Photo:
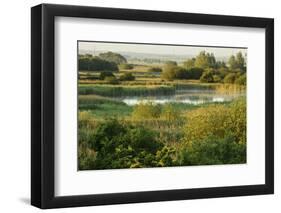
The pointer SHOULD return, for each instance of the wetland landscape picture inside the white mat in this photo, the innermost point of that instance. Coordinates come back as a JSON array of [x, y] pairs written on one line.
[[160, 105]]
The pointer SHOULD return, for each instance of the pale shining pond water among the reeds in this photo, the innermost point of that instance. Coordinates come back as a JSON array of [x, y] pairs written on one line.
[[188, 97]]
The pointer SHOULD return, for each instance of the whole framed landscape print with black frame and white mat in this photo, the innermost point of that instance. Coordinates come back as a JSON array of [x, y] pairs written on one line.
[[141, 106]]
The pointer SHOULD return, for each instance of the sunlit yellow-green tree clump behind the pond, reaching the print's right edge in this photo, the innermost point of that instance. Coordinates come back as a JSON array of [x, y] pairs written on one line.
[[206, 68]]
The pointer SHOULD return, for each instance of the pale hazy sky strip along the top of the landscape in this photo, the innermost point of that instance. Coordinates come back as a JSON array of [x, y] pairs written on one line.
[[157, 49]]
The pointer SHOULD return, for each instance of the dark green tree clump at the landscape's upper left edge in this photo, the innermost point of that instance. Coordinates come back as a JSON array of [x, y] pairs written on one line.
[[90, 63]]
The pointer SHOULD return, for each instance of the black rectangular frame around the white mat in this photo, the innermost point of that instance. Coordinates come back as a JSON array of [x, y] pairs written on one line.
[[43, 110]]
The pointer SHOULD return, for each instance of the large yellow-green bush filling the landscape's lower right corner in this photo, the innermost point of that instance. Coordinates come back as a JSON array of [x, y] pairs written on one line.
[[215, 135]]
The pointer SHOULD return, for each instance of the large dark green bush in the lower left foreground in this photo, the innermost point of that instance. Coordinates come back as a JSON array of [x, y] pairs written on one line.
[[117, 145]]
